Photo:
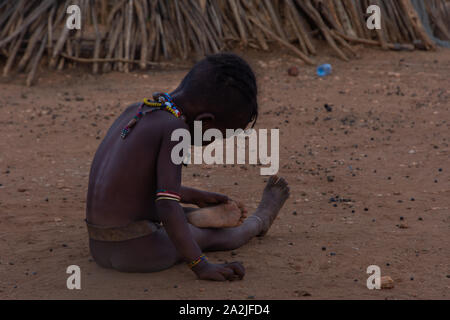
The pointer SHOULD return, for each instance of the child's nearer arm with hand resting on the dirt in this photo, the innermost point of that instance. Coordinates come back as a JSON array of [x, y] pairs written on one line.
[[174, 220]]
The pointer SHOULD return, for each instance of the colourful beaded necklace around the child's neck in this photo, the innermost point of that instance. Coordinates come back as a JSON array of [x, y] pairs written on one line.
[[164, 102]]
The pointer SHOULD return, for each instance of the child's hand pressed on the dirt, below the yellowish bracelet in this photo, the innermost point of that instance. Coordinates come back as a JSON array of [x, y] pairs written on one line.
[[219, 272]]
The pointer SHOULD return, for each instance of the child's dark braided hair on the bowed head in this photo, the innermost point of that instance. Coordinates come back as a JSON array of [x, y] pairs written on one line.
[[224, 81]]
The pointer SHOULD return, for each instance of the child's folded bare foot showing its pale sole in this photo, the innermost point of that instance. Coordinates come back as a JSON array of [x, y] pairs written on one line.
[[227, 215]]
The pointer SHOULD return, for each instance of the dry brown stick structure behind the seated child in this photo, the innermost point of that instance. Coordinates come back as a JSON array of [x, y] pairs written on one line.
[[124, 34]]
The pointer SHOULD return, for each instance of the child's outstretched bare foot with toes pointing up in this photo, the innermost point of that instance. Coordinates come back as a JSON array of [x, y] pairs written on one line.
[[274, 196]]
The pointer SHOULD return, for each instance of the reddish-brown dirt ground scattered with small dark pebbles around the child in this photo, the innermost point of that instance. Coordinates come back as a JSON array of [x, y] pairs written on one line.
[[369, 182]]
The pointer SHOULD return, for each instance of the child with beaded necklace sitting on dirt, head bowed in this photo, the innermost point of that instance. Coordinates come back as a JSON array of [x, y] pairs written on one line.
[[134, 217]]
